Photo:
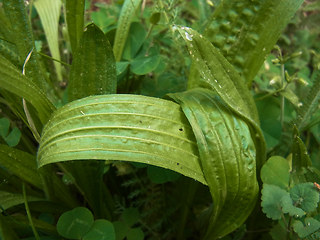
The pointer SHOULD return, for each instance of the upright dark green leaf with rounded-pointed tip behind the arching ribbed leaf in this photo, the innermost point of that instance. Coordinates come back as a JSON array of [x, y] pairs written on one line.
[[93, 70]]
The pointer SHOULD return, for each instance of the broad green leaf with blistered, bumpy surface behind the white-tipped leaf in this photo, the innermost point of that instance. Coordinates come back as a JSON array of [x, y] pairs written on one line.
[[246, 31]]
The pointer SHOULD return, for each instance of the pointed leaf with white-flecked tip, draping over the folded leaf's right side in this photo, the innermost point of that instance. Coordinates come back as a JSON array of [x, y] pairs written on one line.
[[220, 76]]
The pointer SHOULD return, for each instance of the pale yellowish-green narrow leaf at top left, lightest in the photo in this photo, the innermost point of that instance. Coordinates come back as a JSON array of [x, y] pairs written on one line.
[[49, 12]]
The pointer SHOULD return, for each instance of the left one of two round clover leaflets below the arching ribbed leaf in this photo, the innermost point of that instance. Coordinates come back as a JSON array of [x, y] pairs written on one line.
[[76, 223]]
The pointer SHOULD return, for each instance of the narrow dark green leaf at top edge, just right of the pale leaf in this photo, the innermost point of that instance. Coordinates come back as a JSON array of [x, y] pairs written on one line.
[[75, 21]]
